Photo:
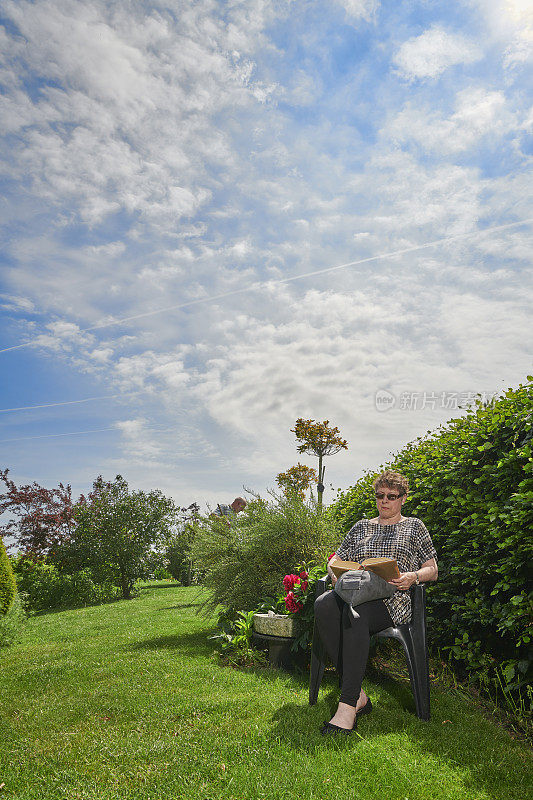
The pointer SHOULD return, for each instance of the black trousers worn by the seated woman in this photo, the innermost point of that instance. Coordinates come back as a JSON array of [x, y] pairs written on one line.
[[345, 633]]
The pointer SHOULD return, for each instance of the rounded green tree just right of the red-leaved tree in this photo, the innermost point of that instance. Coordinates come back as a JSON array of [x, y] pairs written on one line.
[[117, 530]]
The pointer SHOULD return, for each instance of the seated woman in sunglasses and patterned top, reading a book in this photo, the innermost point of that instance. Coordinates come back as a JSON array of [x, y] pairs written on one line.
[[346, 632]]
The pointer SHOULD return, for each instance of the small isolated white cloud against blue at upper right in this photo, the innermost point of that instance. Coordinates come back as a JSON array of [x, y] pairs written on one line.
[[434, 51]]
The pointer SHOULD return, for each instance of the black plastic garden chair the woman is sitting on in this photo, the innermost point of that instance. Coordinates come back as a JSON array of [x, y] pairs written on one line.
[[412, 635]]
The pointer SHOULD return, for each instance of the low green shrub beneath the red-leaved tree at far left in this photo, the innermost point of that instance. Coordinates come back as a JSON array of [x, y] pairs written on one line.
[[46, 587]]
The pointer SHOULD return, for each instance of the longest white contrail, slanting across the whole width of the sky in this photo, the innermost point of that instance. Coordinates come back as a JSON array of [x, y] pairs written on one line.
[[264, 284]]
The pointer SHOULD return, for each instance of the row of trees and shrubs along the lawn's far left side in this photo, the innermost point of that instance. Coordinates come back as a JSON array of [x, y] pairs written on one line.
[[96, 547]]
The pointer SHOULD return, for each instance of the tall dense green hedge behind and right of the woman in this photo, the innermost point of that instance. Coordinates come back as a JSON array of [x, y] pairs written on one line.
[[472, 484]]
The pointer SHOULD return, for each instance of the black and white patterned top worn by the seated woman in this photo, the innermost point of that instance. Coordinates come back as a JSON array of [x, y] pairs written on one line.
[[408, 541]]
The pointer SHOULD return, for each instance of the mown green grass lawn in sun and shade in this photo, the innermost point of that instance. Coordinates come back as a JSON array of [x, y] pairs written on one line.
[[126, 700]]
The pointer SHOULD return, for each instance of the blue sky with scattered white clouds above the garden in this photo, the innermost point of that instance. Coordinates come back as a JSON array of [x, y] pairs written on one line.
[[182, 186]]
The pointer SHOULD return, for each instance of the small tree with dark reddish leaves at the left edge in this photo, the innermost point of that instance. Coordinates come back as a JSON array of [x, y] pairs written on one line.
[[41, 518]]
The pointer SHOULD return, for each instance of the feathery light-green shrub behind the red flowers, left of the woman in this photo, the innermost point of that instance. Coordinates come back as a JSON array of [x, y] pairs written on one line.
[[244, 562]]
